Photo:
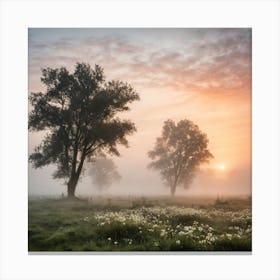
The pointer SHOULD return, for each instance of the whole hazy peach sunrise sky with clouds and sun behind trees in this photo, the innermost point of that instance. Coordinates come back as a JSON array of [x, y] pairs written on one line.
[[201, 74]]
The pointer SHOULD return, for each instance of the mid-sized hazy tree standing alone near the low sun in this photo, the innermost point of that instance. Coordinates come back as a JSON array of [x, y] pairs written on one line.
[[178, 153]]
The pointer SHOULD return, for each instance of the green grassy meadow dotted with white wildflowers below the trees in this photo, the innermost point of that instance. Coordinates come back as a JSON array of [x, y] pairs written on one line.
[[139, 224]]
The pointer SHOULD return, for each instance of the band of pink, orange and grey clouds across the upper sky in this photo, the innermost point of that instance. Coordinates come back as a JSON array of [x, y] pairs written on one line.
[[216, 61]]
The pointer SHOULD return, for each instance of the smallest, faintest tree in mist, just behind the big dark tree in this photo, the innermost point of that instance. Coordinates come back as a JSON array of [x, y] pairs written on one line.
[[103, 173]]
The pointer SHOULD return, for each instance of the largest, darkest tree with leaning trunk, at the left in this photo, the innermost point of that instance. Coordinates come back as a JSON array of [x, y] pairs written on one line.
[[78, 111]]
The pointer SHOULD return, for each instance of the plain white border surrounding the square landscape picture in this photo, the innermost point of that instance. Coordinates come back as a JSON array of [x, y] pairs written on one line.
[[262, 16]]
